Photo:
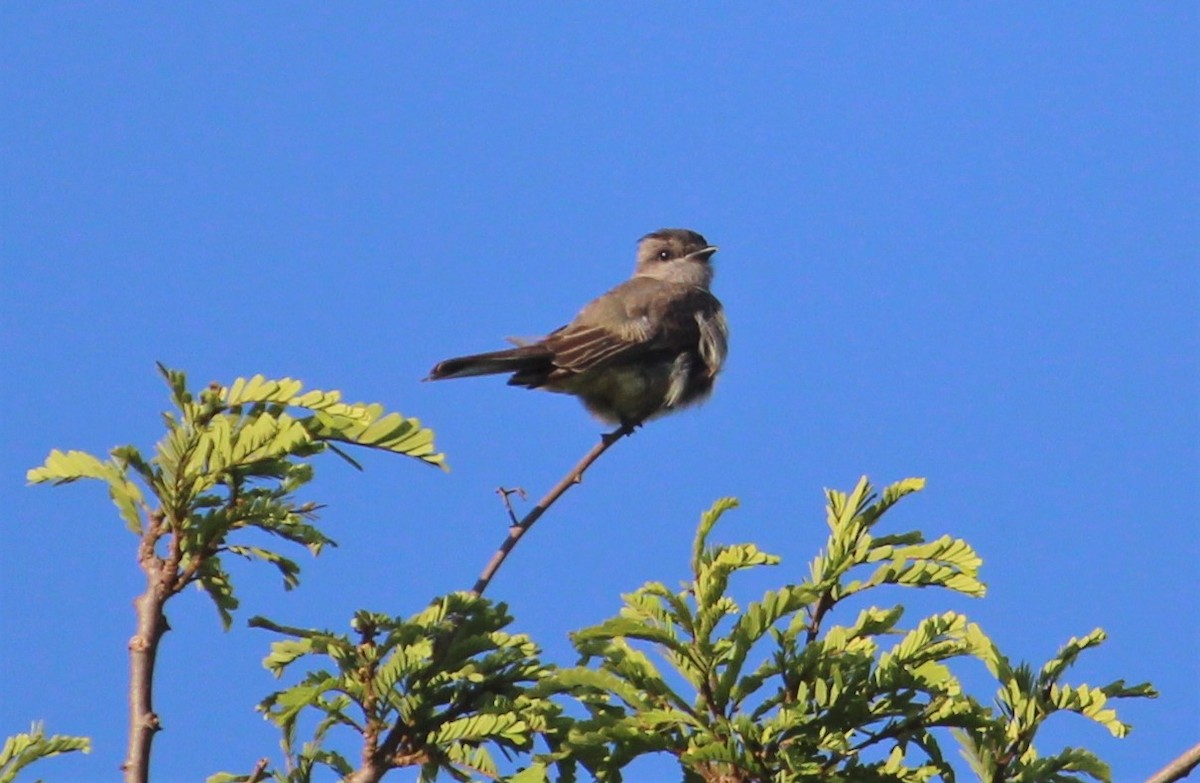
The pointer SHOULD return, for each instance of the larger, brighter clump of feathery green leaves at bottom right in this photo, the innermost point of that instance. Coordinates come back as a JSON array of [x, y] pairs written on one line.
[[773, 691]]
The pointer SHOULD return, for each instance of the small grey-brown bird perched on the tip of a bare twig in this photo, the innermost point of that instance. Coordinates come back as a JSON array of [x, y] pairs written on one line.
[[652, 345]]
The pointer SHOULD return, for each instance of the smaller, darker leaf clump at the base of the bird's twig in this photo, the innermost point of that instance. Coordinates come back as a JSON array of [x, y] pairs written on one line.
[[440, 691]]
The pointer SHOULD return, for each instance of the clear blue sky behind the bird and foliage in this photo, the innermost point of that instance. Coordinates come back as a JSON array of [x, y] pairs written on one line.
[[957, 242]]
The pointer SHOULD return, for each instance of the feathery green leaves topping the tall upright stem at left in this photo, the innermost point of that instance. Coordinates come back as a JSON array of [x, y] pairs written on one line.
[[233, 458]]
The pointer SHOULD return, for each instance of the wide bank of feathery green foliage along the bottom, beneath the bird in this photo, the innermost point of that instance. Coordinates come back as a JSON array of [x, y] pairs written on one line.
[[769, 691]]
